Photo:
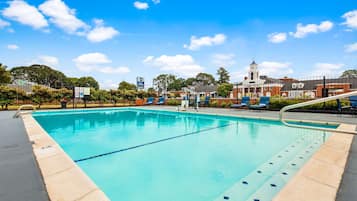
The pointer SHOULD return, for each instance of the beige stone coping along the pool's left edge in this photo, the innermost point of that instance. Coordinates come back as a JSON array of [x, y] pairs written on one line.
[[63, 178]]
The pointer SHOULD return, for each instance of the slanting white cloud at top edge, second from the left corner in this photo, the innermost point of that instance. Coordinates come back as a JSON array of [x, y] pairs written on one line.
[[63, 16]]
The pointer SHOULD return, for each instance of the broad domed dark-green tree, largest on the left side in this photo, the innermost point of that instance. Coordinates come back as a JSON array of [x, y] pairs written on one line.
[[40, 74]]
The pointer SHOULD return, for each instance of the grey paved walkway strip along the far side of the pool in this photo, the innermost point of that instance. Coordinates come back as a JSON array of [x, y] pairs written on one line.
[[338, 118]]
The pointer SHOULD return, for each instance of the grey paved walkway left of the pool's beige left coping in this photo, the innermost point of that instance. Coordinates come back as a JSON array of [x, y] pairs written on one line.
[[20, 178]]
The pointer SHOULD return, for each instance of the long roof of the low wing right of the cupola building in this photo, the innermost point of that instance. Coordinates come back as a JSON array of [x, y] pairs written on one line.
[[312, 84]]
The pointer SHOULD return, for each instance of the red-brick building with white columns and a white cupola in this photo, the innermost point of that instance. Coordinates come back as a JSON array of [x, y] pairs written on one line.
[[255, 85]]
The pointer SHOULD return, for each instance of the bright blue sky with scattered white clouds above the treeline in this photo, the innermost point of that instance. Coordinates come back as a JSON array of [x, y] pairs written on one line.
[[119, 40]]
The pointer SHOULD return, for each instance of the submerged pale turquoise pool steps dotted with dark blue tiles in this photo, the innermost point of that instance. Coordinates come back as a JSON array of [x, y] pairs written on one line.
[[269, 172]]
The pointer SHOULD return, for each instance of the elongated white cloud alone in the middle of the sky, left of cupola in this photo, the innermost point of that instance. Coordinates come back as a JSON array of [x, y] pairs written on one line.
[[197, 43]]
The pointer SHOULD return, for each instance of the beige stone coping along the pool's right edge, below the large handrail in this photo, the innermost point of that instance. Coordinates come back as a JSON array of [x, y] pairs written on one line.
[[320, 177]]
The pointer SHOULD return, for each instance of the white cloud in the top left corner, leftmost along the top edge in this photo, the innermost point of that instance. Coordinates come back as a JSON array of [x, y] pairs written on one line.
[[24, 13]]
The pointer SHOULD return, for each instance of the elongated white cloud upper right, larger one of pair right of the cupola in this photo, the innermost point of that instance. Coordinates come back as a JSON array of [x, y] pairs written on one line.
[[304, 30]]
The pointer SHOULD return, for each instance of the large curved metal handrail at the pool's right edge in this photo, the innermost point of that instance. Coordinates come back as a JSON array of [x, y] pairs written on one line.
[[307, 103]]
